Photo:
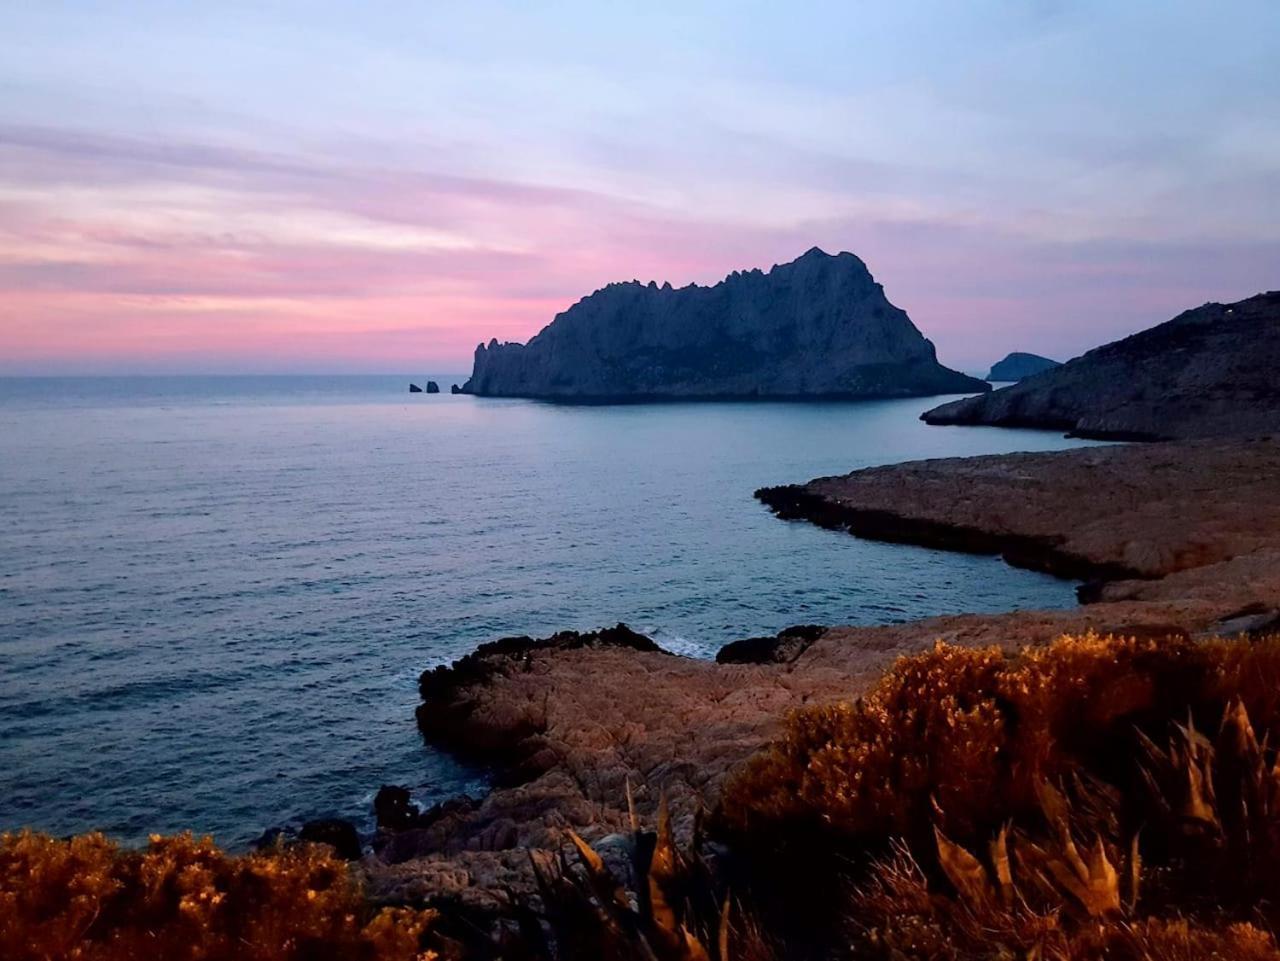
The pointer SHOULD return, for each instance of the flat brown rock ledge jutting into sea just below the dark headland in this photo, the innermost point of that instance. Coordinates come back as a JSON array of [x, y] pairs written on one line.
[[1101, 514]]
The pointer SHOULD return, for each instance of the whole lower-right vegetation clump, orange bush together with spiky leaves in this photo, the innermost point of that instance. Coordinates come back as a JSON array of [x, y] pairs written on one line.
[[1062, 803]]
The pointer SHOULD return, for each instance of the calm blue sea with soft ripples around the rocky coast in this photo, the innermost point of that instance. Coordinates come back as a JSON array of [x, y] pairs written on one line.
[[217, 593]]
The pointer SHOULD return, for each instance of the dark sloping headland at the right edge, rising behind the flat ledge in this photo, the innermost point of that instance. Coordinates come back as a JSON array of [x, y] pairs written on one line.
[[1210, 372]]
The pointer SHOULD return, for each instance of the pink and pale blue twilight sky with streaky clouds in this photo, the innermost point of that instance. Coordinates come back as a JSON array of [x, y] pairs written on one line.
[[377, 187]]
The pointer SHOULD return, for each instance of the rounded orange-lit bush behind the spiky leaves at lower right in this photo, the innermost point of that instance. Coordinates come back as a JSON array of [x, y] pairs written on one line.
[[968, 731]]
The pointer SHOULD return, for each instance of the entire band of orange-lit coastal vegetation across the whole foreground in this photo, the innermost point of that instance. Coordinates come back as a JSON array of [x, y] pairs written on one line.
[[1096, 798]]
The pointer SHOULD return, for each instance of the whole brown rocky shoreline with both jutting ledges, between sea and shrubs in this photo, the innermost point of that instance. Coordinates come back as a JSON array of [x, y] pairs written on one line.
[[568, 724]]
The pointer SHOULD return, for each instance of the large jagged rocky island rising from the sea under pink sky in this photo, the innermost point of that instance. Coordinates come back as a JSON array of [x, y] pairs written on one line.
[[819, 327]]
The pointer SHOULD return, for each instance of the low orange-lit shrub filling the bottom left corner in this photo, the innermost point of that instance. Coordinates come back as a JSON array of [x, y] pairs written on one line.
[[89, 900]]
